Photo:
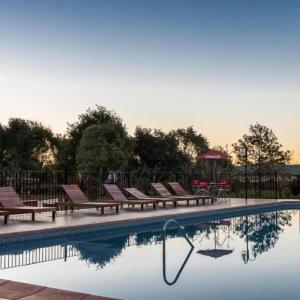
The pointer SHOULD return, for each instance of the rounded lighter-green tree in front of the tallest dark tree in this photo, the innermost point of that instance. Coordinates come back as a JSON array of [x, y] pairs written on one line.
[[103, 147]]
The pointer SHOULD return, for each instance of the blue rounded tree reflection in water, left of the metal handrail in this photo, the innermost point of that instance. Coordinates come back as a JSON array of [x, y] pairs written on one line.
[[101, 252]]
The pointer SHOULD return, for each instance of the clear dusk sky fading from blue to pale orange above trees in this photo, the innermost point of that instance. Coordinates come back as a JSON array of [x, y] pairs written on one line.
[[217, 65]]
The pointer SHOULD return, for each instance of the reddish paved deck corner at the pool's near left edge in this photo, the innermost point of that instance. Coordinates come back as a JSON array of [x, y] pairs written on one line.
[[10, 290]]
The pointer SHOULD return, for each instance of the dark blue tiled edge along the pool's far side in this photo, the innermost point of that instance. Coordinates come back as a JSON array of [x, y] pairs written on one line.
[[115, 224]]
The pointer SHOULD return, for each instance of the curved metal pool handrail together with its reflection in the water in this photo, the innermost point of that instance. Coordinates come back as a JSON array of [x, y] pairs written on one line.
[[180, 230]]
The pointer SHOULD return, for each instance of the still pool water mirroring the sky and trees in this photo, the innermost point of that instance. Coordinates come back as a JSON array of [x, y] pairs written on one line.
[[247, 257]]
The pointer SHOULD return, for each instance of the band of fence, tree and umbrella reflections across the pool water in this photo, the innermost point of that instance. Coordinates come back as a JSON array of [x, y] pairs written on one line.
[[260, 233]]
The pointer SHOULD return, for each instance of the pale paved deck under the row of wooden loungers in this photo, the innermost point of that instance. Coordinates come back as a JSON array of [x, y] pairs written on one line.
[[22, 225]]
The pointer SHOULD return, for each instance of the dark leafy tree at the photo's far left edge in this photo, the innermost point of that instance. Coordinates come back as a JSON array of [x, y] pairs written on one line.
[[26, 144]]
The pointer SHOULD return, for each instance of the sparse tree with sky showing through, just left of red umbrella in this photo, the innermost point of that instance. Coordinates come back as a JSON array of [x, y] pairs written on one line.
[[190, 142]]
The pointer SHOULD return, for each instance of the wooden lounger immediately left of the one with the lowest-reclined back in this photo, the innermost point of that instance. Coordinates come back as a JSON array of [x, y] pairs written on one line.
[[120, 198]]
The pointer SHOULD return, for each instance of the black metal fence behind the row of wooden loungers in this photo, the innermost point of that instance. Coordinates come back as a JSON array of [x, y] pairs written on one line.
[[45, 186]]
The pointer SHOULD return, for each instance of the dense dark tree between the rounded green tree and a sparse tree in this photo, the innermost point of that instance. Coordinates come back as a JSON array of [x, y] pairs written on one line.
[[160, 151]]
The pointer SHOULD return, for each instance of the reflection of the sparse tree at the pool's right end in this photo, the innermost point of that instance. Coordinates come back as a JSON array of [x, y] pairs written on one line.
[[262, 231]]
